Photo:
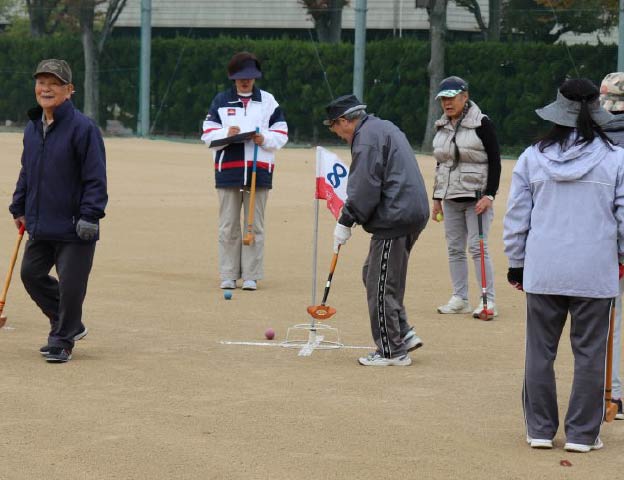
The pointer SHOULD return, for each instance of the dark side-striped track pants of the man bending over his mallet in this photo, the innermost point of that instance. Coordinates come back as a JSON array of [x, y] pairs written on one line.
[[384, 275]]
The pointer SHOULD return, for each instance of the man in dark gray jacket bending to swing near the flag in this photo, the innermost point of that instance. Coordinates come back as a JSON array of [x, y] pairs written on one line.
[[386, 194]]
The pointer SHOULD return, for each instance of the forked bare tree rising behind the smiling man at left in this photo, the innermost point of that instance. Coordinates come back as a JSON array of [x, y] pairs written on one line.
[[93, 41]]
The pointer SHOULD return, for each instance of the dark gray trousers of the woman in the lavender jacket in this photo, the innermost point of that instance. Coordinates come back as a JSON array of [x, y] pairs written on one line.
[[589, 328]]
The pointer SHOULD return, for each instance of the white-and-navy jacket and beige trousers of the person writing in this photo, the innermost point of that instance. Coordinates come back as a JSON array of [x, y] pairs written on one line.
[[233, 172]]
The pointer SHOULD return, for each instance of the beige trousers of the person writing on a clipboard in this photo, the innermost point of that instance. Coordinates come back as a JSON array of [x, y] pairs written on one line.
[[235, 259]]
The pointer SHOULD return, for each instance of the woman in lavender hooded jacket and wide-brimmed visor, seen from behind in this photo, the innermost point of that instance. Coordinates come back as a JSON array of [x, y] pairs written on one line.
[[564, 236]]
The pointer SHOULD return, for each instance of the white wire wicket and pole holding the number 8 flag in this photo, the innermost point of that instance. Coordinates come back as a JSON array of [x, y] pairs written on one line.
[[320, 336]]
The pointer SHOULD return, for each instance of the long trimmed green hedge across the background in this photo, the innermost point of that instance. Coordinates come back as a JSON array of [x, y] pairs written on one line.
[[508, 80]]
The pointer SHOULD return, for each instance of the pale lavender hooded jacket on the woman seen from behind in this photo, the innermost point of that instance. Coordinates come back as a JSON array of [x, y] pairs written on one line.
[[565, 219]]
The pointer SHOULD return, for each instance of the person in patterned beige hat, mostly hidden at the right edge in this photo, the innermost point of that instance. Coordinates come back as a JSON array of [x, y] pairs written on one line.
[[612, 100]]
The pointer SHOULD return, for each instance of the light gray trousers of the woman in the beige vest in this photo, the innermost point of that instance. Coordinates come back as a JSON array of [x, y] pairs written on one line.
[[462, 230]]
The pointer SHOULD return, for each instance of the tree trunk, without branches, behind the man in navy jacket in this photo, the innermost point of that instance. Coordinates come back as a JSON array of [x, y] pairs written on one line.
[[91, 80]]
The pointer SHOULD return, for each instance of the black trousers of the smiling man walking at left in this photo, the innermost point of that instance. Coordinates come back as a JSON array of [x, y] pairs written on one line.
[[60, 300]]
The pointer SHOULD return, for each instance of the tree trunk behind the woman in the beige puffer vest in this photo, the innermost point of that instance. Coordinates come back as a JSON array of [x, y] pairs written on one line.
[[437, 22]]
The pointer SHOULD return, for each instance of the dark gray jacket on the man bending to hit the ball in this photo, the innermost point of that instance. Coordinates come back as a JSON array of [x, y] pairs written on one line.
[[386, 192]]
